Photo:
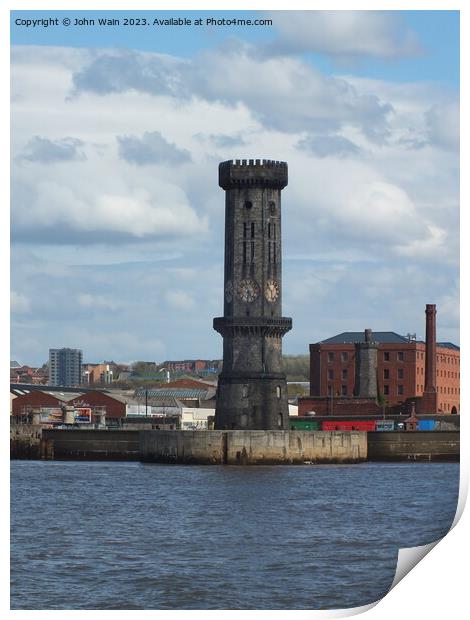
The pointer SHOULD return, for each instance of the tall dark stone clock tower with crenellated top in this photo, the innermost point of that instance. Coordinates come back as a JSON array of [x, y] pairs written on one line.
[[252, 391]]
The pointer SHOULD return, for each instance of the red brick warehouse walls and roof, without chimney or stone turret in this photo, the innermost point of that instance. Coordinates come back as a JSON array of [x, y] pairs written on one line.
[[401, 373]]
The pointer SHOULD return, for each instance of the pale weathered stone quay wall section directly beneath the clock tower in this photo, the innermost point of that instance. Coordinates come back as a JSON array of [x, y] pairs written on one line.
[[252, 447]]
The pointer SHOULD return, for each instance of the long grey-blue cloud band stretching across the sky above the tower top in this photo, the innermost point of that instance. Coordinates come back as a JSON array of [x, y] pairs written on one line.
[[285, 94]]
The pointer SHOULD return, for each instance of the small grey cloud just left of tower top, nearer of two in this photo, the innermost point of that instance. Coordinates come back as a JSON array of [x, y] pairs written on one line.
[[152, 148]]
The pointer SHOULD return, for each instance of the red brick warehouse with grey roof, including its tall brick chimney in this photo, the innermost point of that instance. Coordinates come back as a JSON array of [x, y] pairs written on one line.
[[400, 374]]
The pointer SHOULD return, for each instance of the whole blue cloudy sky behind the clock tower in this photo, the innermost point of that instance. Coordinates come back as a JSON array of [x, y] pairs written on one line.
[[117, 219]]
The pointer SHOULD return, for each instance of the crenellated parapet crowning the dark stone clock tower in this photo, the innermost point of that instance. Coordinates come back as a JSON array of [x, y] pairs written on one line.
[[252, 173]]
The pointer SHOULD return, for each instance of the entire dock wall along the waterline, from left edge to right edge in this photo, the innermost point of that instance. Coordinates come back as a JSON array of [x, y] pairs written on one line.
[[232, 447]]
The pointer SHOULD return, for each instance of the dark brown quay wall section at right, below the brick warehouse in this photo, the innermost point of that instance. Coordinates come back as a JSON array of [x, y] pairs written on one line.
[[414, 446]]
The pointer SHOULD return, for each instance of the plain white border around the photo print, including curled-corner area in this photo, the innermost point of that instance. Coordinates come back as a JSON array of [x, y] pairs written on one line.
[[438, 586]]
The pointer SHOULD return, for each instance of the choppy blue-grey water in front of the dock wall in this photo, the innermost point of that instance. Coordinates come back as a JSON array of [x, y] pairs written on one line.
[[93, 535]]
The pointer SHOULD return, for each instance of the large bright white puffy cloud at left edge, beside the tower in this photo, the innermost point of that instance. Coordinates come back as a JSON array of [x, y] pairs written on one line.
[[94, 204]]
